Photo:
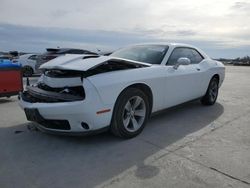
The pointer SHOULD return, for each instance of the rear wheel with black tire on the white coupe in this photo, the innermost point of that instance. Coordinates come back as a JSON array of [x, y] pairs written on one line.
[[212, 92]]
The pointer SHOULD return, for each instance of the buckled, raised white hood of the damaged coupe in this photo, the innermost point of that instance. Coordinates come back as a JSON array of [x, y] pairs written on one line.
[[82, 62]]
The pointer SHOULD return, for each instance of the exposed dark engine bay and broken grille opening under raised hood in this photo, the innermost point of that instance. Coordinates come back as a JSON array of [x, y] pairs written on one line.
[[53, 87]]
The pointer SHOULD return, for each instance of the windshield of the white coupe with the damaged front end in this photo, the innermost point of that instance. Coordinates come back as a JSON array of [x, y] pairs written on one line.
[[152, 54]]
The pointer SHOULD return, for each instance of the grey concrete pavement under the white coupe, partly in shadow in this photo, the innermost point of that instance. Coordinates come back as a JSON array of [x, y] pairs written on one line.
[[186, 146]]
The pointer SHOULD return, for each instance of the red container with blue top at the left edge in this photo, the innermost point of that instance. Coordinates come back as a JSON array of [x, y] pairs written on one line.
[[11, 82]]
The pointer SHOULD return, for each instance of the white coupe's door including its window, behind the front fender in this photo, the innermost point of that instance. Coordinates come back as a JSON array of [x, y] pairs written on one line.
[[185, 82]]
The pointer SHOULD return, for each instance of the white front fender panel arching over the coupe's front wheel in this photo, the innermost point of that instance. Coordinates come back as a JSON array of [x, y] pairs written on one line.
[[110, 85]]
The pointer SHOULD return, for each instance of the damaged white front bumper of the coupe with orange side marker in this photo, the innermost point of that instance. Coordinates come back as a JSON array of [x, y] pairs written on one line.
[[67, 117]]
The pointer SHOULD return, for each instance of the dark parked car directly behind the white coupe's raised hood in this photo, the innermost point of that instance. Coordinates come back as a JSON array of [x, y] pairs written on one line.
[[52, 53]]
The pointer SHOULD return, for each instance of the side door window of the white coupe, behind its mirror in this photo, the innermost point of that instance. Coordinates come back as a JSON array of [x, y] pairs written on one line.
[[190, 53]]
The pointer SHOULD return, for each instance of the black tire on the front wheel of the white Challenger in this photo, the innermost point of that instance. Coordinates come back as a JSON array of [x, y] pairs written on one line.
[[118, 127]]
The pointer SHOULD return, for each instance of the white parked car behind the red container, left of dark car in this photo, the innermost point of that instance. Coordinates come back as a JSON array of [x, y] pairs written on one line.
[[28, 63]]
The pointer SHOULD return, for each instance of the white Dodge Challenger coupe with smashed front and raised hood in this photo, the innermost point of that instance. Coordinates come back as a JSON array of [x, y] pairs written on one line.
[[82, 94]]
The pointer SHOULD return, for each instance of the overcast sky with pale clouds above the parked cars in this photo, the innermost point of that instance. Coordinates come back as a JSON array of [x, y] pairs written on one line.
[[220, 27]]
